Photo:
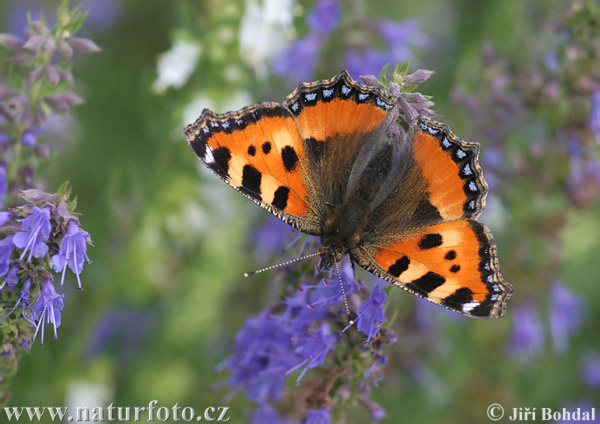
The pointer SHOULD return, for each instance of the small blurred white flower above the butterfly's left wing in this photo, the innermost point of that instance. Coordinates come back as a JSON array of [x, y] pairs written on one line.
[[176, 65]]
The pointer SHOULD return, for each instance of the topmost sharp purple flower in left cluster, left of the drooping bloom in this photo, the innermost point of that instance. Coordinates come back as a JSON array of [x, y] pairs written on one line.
[[36, 229]]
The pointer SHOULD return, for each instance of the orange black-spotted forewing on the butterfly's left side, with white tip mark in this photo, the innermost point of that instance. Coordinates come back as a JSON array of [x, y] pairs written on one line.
[[259, 152]]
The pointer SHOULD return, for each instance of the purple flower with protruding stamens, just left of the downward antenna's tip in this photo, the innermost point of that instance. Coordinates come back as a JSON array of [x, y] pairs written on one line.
[[314, 347]]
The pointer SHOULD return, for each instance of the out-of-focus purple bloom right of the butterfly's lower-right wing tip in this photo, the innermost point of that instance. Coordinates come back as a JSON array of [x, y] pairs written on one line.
[[565, 316]]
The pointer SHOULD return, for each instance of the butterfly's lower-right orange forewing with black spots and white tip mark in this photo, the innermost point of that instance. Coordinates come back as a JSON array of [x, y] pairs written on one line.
[[453, 264]]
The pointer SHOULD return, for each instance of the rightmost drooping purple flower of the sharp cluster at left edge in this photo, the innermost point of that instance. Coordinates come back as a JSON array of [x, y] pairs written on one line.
[[73, 251]]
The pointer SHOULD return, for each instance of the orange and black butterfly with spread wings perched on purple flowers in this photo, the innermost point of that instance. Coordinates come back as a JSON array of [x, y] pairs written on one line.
[[405, 211]]
